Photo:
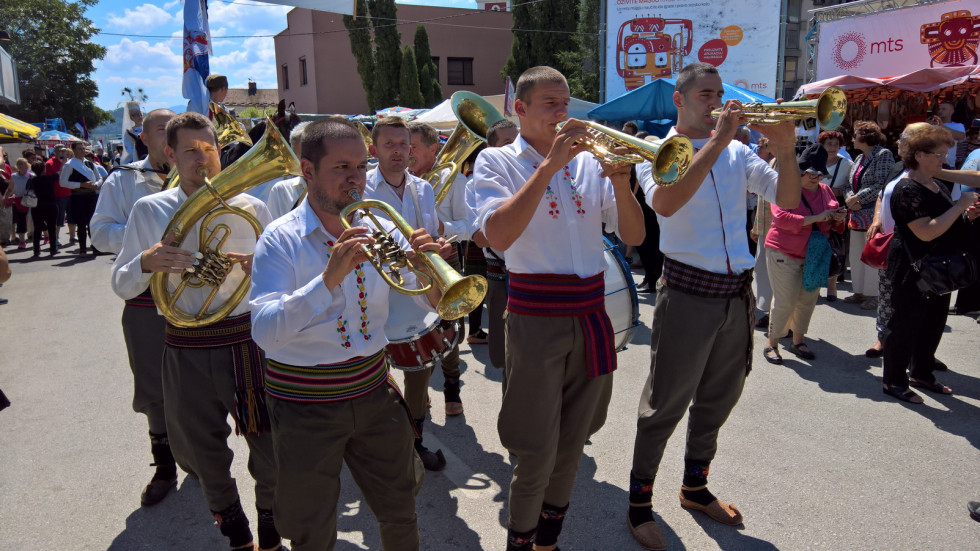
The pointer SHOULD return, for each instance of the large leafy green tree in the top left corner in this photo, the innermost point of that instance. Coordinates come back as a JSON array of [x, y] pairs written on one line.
[[51, 44]]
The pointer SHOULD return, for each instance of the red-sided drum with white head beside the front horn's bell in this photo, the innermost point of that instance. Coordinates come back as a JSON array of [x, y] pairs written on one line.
[[417, 339]]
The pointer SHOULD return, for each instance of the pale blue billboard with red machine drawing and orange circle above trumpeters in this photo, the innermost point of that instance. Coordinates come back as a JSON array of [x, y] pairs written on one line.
[[652, 39]]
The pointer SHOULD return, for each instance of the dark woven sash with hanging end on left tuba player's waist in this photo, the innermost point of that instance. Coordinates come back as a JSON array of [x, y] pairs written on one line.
[[251, 416]]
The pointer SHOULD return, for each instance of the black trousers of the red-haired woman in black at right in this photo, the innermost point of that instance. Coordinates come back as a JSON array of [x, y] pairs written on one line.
[[912, 335]]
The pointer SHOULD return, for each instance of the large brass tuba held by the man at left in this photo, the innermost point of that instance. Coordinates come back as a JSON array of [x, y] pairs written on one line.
[[270, 158]]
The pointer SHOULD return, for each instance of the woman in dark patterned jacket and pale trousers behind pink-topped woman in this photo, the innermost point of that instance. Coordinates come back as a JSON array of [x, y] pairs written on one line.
[[868, 176]]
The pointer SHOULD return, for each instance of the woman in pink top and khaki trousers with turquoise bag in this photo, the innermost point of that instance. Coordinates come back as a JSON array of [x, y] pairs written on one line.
[[787, 243]]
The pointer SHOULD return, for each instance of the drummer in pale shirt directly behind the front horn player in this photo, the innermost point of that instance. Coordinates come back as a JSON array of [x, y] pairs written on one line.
[[412, 197]]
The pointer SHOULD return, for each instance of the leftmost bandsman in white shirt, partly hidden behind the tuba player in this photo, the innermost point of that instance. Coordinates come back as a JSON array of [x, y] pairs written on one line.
[[143, 328]]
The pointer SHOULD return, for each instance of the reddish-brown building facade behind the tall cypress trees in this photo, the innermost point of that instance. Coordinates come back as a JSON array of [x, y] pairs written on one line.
[[317, 71]]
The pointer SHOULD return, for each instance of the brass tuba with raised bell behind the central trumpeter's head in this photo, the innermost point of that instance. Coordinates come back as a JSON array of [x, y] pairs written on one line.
[[475, 116]]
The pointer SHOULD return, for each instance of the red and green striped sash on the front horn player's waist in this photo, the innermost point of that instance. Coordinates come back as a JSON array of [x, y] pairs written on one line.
[[328, 382]]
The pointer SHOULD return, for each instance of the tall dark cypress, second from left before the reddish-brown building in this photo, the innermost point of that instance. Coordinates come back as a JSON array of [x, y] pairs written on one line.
[[387, 51]]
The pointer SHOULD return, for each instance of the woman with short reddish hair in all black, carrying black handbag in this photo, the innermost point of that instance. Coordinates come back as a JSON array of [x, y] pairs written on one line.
[[930, 230]]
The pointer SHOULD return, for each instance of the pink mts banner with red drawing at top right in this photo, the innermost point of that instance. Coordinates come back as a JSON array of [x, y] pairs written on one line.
[[892, 43]]
